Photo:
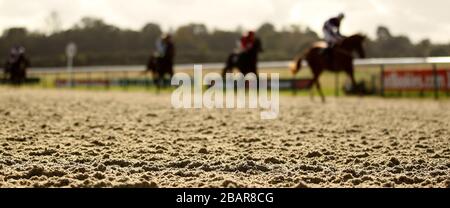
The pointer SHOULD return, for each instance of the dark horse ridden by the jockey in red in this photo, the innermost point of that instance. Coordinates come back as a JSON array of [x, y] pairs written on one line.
[[246, 62]]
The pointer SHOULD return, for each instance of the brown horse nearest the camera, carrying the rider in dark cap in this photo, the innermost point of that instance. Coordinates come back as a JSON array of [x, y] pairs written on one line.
[[342, 59]]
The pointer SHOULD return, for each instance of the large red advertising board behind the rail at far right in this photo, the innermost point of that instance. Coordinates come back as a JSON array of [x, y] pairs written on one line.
[[416, 80]]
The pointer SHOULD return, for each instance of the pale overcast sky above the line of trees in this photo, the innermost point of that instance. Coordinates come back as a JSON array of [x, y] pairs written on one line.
[[417, 18]]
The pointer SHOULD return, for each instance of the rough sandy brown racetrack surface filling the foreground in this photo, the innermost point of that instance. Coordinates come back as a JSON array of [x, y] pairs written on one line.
[[51, 138]]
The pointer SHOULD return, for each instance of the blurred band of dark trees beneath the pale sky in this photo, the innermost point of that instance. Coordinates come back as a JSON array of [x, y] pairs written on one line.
[[100, 43]]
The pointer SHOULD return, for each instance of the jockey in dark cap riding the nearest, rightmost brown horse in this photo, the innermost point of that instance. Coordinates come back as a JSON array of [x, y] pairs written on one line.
[[331, 30]]
